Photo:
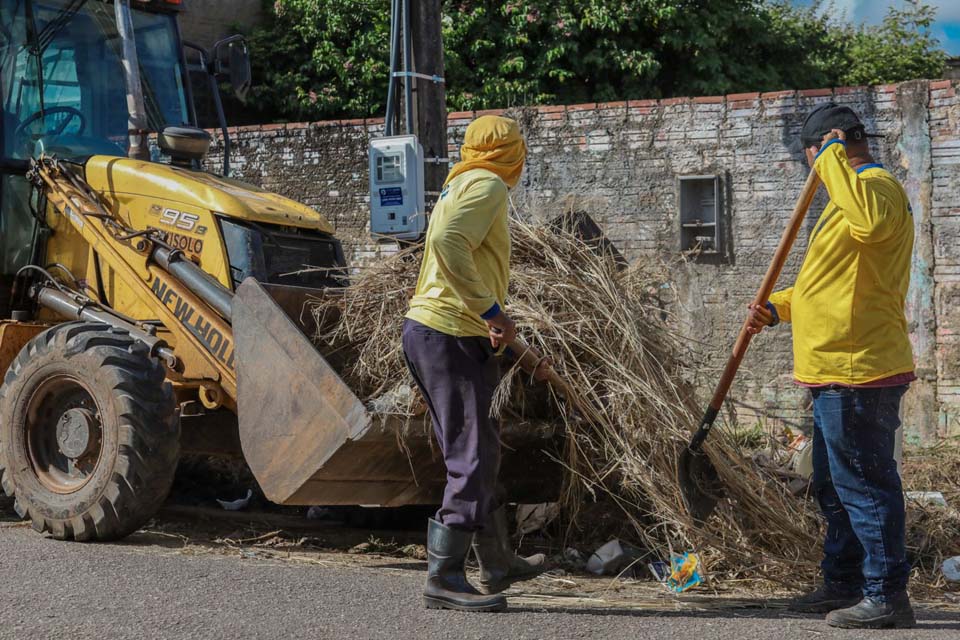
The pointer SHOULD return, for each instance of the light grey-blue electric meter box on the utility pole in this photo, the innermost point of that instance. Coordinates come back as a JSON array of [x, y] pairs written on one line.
[[396, 188]]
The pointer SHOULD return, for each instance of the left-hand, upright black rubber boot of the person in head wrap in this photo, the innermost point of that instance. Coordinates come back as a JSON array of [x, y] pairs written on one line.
[[447, 586]]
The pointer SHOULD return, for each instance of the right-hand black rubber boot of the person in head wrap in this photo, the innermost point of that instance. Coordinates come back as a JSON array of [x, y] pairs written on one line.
[[500, 567]]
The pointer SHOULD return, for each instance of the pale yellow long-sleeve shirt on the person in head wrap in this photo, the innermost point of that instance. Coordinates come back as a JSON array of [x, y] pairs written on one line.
[[466, 262]]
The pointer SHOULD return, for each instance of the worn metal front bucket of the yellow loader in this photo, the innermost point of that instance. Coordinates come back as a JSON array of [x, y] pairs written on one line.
[[310, 441]]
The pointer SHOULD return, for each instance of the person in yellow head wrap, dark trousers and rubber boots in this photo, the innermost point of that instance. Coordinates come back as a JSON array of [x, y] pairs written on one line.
[[452, 334]]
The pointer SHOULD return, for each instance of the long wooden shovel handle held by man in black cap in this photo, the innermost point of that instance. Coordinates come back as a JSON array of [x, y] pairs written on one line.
[[762, 297]]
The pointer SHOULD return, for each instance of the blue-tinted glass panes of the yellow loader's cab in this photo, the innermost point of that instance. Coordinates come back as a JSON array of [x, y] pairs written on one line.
[[62, 76]]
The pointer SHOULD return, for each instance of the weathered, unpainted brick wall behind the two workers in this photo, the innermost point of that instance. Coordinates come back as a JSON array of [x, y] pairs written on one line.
[[621, 162]]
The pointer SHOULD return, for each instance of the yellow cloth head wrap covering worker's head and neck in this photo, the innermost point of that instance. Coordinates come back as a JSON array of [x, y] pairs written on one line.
[[493, 143]]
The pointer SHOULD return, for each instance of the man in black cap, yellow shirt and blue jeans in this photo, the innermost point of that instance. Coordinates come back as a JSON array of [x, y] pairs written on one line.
[[852, 349]]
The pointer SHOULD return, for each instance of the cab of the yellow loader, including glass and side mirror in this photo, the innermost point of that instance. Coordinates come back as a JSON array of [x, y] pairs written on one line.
[[65, 88]]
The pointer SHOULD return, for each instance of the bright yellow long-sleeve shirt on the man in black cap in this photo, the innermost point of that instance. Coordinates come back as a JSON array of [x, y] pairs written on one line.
[[847, 304]]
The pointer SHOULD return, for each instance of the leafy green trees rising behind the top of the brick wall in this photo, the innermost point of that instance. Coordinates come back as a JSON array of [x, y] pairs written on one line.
[[329, 58]]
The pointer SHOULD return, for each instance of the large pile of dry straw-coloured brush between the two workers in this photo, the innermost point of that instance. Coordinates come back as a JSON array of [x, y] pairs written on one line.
[[611, 339]]
